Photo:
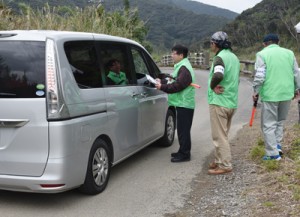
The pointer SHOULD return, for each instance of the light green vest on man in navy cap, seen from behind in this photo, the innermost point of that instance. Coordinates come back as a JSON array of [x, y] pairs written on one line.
[[279, 81]]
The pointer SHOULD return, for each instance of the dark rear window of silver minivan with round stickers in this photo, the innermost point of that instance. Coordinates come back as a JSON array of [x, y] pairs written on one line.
[[22, 69]]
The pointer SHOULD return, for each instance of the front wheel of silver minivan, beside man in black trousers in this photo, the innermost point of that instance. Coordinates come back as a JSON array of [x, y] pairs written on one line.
[[168, 137]]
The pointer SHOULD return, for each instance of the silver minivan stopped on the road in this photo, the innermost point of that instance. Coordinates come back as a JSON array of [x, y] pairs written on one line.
[[62, 125]]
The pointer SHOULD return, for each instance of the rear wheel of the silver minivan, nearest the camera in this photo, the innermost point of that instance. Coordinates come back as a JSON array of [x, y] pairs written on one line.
[[98, 170]]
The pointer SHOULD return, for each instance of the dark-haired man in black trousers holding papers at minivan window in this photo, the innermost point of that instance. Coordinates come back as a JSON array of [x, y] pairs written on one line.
[[182, 97]]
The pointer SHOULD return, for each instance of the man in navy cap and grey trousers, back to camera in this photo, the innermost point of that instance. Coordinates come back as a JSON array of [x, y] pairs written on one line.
[[276, 83]]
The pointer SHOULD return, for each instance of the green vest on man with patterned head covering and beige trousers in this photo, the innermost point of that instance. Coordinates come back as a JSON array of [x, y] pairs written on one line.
[[230, 82]]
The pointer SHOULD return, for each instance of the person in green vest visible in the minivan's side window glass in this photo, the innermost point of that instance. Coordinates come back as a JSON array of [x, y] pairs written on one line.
[[115, 76]]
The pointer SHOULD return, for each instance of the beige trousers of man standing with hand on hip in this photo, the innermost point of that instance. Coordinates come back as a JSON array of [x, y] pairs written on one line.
[[220, 119]]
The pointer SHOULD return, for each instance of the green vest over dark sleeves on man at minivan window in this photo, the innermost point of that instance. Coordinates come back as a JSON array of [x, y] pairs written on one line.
[[186, 97]]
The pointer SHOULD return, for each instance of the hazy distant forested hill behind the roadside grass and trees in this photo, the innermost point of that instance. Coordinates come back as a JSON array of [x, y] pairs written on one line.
[[168, 21]]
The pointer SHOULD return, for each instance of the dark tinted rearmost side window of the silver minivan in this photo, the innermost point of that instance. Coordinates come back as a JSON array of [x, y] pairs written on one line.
[[82, 58]]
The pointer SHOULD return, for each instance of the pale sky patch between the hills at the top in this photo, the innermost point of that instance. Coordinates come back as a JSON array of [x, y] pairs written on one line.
[[234, 5]]
